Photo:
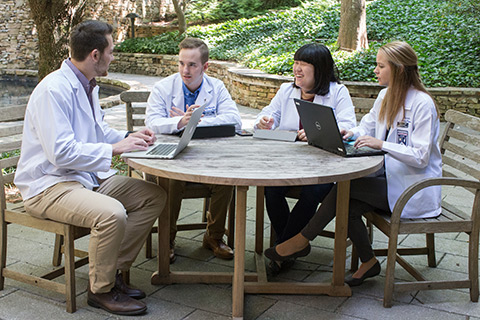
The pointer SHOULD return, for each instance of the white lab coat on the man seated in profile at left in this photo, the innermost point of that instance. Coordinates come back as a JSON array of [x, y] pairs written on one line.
[[62, 141]]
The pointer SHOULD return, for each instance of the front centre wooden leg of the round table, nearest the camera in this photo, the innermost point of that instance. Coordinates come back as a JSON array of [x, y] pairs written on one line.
[[239, 266]]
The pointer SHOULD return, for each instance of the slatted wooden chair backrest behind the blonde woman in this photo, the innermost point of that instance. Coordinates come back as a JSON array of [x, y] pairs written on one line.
[[460, 146]]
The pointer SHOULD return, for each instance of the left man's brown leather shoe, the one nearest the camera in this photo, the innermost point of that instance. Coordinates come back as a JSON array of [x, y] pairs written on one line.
[[116, 302]]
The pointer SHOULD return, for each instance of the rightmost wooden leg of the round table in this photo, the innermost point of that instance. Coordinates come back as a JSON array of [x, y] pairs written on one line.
[[341, 228]]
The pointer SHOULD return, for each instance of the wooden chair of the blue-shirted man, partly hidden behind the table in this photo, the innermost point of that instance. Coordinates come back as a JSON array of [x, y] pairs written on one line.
[[135, 103]]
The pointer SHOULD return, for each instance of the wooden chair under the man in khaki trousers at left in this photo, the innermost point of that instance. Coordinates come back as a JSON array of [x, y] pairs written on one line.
[[14, 213]]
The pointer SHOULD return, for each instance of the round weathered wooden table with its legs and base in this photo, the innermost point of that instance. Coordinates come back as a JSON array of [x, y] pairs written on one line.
[[244, 162]]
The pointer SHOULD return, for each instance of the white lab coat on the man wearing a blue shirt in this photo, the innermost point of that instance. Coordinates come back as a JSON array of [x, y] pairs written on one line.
[[168, 92]]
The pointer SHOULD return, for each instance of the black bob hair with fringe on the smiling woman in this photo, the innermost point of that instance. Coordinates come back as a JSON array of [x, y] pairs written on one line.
[[320, 57]]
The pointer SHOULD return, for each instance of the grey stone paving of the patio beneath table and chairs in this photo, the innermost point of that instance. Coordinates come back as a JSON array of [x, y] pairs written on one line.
[[32, 251]]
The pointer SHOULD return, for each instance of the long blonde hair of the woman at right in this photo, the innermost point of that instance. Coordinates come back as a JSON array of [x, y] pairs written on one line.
[[404, 74]]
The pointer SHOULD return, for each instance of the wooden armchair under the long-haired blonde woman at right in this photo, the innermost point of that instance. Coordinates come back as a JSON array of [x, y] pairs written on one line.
[[460, 147]]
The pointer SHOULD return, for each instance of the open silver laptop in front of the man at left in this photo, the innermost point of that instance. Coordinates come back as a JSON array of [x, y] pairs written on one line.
[[170, 150]]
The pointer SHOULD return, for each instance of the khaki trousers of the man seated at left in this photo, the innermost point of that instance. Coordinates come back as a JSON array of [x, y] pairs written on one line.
[[120, 214]]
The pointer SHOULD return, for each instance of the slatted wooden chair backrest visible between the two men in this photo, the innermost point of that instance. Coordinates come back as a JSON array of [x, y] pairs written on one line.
[[135, 103]]
